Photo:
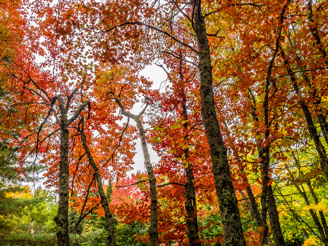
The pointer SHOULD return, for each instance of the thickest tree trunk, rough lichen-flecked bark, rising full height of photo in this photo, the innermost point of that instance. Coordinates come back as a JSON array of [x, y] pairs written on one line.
[[231, 222]]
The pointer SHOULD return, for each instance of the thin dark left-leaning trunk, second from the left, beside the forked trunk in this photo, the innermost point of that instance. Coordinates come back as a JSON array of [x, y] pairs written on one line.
[[104, 199]]
